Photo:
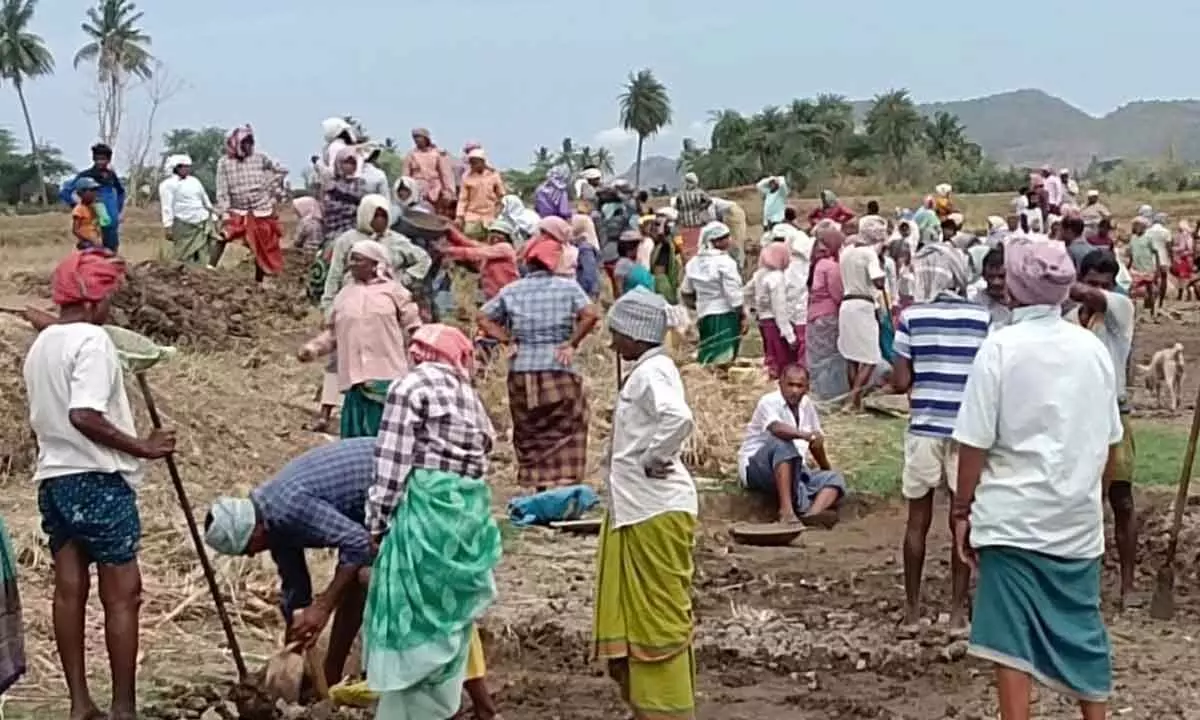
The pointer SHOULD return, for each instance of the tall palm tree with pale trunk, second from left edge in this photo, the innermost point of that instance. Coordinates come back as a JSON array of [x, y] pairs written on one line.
[[119, 49]]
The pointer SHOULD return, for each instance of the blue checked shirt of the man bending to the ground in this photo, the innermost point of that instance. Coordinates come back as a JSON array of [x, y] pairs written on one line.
[[317, 501]]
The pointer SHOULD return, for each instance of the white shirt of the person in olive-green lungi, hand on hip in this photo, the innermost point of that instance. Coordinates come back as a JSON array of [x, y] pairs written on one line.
[[651, 424]]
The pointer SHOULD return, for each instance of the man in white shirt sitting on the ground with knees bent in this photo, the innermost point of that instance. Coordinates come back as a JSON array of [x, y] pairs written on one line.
[[783, 431]]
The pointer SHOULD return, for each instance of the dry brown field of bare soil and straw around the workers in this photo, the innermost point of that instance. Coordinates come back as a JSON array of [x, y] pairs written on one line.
[[801, 633]]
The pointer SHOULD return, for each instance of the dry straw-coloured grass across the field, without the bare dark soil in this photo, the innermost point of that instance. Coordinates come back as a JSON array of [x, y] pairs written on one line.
[[241, 415]]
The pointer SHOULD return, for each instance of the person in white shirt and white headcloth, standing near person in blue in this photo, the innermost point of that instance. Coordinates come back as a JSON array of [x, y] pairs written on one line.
[[188, 214]]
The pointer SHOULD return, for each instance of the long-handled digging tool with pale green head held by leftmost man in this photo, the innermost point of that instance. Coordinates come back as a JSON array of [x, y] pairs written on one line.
[[140, 355]]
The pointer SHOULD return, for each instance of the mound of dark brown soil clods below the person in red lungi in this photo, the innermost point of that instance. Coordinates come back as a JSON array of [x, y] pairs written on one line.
[[205, 310]]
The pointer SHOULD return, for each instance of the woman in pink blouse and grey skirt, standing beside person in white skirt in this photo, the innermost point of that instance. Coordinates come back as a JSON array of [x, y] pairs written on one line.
[[827, 369]]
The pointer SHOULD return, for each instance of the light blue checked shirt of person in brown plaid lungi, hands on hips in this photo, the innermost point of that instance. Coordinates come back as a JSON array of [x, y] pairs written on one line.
[[539, 311]]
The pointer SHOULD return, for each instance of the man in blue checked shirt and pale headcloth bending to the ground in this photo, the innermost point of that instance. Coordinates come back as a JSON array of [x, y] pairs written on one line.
[[317, 501]]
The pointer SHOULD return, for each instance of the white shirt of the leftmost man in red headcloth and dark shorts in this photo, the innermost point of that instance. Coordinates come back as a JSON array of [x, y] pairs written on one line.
[[76, 367]]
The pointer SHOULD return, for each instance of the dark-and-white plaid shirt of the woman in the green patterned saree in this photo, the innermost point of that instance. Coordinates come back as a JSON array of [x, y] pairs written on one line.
[[435, 421]]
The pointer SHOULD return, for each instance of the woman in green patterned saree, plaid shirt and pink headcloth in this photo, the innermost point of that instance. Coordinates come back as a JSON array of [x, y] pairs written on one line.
[[430, 515]]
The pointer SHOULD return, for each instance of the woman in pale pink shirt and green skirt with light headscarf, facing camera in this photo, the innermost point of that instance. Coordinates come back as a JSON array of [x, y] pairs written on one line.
[[367, 327]]
